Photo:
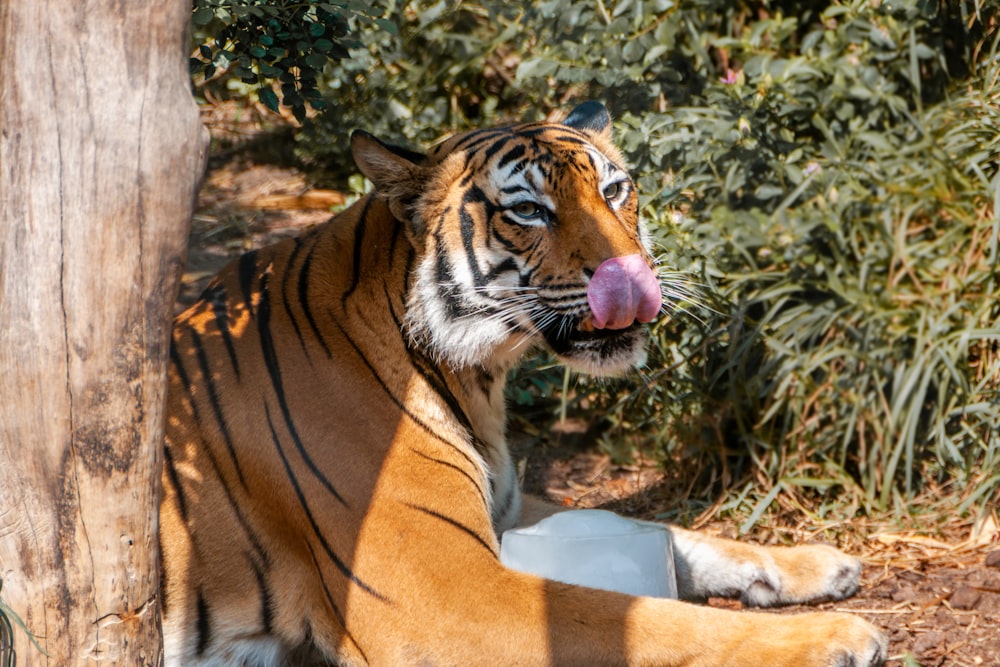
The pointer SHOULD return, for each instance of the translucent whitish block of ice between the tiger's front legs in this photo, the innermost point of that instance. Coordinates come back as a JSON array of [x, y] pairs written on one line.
[[594, 548]]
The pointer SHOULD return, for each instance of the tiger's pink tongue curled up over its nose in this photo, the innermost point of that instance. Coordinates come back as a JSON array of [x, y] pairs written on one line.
[[622, 290]]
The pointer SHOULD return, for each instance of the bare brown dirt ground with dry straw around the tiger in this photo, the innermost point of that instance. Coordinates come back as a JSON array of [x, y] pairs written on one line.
[[938, 599]]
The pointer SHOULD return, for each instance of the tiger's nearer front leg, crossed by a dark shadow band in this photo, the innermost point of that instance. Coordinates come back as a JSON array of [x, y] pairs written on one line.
[[451, 602]]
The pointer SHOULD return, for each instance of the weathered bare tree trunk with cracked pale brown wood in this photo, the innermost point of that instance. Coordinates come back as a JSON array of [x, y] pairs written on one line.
[[101, 152]]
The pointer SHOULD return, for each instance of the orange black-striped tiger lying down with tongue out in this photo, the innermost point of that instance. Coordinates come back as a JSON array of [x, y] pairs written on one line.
[[337, 477]]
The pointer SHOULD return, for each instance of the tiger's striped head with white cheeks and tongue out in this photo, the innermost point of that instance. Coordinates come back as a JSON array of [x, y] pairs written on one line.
[[523, 234]]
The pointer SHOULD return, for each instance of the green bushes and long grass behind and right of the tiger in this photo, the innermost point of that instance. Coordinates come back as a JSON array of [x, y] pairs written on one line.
[[825, 173]]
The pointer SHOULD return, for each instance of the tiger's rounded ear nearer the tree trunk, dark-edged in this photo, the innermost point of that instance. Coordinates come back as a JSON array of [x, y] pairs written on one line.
[[398, 173]]
